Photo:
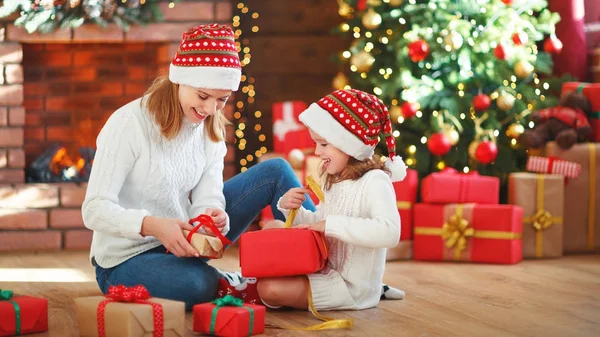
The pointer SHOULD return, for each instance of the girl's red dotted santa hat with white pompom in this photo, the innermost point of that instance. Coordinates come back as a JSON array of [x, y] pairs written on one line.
[[352, 121]]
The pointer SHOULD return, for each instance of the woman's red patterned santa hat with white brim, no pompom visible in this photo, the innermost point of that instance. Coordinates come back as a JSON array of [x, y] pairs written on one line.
[[207, 58]]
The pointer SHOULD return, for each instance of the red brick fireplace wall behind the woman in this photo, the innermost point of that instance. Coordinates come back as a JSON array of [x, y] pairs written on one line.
[[50, 85]]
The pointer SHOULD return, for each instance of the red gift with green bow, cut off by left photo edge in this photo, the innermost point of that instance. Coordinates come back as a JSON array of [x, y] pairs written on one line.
[[22, 315]]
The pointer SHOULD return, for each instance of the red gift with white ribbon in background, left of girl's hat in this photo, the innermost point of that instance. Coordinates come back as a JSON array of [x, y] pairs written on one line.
[[288, 132]]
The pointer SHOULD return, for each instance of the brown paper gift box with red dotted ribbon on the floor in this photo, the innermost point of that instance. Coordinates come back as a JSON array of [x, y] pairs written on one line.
[[129, 319]]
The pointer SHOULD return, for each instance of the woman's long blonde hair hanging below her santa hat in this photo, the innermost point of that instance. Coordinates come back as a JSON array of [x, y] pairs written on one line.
[[163, 105]]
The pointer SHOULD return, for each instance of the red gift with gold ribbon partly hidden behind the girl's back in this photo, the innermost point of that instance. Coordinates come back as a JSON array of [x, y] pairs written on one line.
[[406, 195]]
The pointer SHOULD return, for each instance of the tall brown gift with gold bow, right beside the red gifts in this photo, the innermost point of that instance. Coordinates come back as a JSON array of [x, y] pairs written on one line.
[[542, 198]]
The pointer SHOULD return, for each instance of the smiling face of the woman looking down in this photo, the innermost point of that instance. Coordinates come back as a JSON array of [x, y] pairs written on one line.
[[198, 104]]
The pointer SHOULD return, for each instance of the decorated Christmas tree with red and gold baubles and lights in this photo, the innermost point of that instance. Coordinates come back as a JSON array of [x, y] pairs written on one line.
[[460, 76]]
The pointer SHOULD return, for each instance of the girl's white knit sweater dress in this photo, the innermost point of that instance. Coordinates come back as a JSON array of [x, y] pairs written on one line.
[[361, 221]]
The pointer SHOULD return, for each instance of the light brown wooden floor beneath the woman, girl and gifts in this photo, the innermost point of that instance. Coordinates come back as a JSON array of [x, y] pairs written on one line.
[[534, 298]]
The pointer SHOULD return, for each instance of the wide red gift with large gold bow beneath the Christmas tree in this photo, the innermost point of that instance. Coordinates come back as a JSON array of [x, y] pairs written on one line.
[[468, 232]]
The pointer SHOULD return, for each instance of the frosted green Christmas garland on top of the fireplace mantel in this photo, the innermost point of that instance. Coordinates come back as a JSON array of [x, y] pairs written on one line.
[[45, 16]]
